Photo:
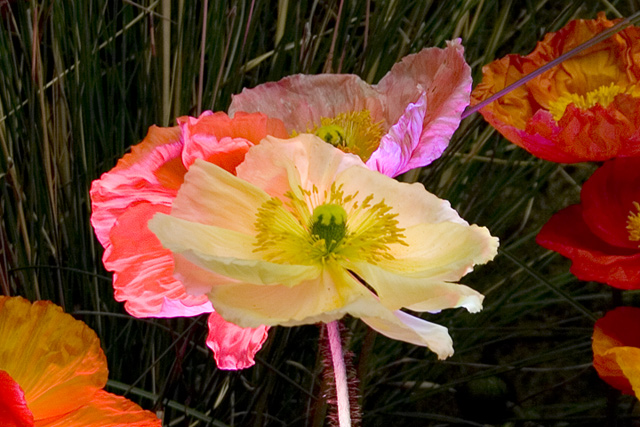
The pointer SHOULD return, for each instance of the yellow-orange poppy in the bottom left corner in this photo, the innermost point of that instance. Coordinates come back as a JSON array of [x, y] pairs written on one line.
[[52, 372]]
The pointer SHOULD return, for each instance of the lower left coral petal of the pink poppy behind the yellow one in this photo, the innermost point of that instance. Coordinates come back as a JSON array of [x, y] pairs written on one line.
[[143, 269]]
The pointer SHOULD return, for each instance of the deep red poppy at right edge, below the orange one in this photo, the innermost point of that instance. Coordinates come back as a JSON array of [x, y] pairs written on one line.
[[601, 235]]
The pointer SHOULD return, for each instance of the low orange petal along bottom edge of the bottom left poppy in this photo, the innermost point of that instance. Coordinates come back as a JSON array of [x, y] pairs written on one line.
[[106, 410]]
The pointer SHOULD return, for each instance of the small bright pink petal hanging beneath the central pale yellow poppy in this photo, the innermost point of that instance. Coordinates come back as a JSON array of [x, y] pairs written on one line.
[[234, 347]]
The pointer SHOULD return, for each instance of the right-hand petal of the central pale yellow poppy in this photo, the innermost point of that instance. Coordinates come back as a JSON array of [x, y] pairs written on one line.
[[442, 251]]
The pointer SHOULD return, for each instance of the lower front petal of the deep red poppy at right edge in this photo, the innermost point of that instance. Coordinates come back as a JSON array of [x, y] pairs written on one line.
[[593, 259]]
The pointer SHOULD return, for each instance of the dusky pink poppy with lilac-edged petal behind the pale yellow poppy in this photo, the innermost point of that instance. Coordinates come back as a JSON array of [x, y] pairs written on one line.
[[403, 122]]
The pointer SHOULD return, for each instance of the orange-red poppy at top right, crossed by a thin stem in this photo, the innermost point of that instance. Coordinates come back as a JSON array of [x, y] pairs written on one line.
[[585, 109]]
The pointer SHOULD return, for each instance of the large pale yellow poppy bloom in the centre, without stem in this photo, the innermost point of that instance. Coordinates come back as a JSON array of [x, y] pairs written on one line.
[[317, 235]]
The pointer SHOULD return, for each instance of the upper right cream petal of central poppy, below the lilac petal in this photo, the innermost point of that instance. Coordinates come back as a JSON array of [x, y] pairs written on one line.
[[413, 204]]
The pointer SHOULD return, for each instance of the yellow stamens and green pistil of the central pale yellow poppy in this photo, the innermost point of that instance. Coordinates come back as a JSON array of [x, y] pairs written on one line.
[[338, 228]]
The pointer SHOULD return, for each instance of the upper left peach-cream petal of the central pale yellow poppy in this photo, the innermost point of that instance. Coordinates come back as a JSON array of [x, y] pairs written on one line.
[[210, 195]]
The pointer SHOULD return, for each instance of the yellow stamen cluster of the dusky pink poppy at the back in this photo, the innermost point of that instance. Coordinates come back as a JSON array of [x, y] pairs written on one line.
[[352, 132]]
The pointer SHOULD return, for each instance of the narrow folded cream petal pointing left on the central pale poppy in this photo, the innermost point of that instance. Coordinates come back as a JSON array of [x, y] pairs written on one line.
[[225, 252]]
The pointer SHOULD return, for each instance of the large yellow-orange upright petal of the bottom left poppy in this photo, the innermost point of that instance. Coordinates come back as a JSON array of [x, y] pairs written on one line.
[[50, 354]]
